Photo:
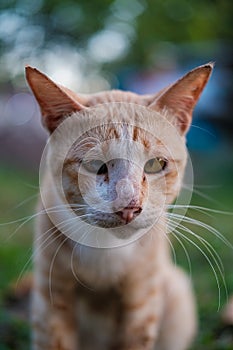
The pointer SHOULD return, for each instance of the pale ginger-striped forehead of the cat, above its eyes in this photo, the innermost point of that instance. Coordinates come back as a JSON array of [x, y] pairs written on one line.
[[114, 126]]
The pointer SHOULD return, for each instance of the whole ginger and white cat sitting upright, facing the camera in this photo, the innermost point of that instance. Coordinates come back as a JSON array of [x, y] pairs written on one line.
[[104, 275]]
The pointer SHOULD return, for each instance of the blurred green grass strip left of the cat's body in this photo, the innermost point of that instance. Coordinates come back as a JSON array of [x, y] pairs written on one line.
[[17, 188]]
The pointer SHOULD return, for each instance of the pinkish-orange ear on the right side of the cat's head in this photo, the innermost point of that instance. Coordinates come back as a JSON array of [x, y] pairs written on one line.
[[179, 99]]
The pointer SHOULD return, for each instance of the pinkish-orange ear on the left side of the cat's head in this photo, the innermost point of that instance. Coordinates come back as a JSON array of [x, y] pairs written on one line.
[[55, 103]]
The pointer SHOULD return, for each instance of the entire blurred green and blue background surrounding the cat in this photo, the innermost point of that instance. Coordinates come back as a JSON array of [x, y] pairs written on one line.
[[140, 45]]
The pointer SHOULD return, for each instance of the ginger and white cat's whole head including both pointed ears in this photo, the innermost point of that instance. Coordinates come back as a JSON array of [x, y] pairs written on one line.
[[118, 158]]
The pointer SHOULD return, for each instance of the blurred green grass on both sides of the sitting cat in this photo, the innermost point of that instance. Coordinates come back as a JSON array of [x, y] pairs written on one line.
[[17, 200]]
